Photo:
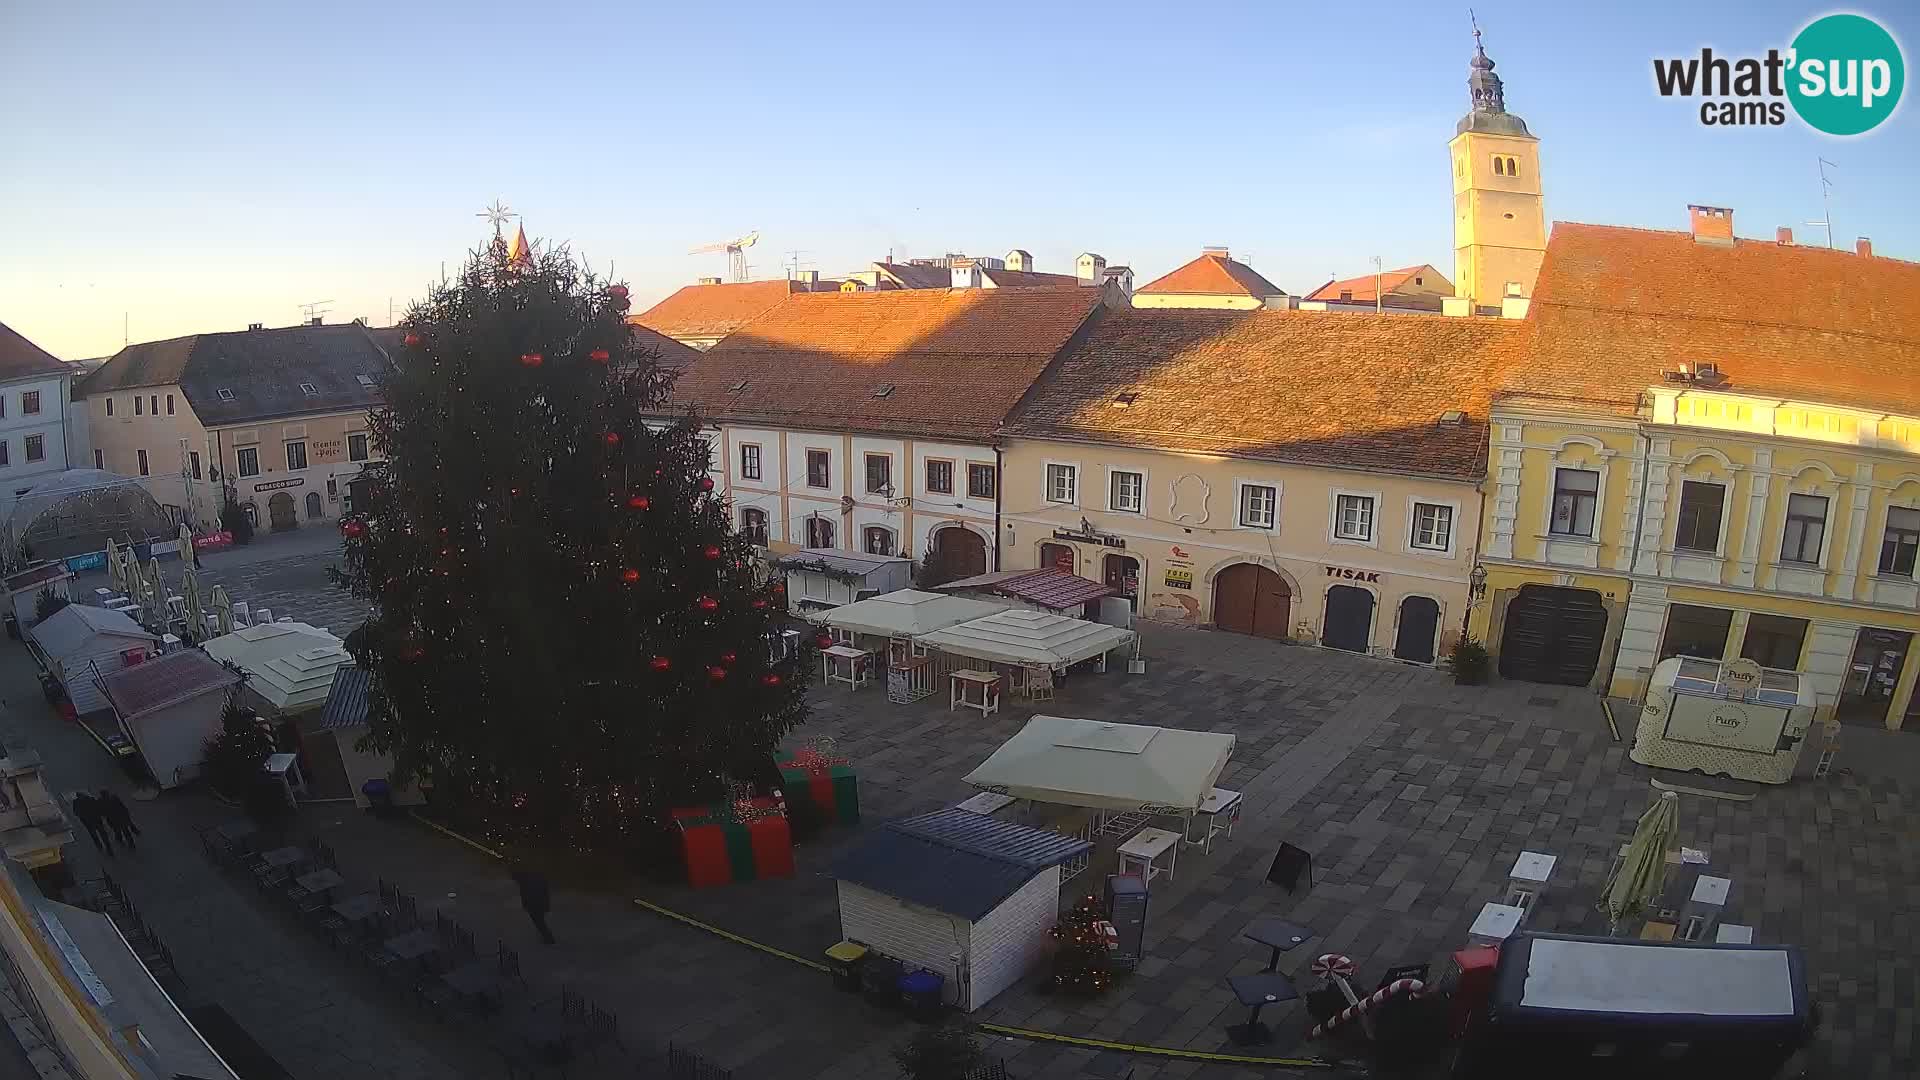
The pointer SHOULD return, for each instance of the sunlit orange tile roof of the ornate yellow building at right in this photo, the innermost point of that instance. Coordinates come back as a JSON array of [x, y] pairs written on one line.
[[1618, 308]]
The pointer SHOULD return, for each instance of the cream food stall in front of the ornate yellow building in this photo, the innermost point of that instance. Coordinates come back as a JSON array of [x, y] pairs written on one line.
[[1725, 718]]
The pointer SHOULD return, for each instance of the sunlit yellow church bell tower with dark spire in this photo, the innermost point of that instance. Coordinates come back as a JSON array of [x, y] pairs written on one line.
[[1500, 228]]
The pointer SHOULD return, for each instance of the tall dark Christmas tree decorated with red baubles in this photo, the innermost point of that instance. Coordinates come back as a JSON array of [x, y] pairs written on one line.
[[567, 633]]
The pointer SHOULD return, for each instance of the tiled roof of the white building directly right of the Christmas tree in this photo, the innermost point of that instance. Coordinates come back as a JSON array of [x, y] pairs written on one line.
[[957, 360]]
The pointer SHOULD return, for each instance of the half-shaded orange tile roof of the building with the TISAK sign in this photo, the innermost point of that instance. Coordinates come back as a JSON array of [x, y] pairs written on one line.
[[1307, 387]]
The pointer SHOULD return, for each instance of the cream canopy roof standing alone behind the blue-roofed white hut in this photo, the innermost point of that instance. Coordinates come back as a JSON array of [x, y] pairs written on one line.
[[1092, 764]]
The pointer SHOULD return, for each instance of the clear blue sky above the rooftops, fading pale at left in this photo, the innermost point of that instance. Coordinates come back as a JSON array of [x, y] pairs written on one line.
[[203, 166]]
